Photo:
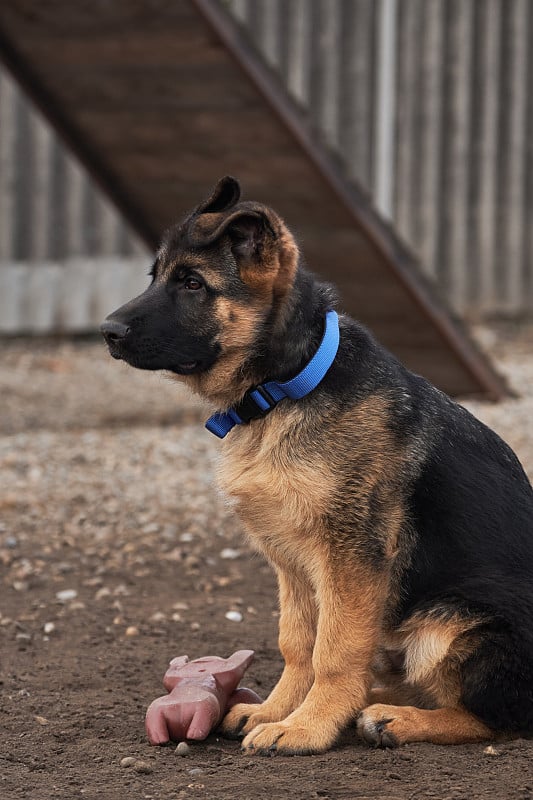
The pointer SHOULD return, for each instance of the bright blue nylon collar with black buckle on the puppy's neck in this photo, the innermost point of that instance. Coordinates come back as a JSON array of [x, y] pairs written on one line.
[[260, 400]]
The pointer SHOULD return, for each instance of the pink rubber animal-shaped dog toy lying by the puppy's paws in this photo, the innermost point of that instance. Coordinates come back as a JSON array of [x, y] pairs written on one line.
[[201, 692]]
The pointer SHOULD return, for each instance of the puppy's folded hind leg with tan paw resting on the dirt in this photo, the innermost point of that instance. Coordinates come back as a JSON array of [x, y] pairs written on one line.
[[477, 673]]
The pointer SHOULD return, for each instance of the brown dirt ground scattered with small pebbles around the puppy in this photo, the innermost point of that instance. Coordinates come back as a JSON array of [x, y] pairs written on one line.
[[116, 554]]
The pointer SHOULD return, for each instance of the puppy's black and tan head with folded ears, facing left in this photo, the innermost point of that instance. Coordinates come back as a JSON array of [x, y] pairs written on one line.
[[219, 276]]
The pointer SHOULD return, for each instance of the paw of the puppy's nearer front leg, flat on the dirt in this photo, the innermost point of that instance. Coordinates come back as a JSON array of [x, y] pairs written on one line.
[[286, 738]]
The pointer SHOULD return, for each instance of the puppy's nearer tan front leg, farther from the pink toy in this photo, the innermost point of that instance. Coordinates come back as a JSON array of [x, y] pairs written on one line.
[[350, 610]]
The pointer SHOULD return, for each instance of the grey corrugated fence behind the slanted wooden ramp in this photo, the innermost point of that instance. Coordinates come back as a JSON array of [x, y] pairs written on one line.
[[425, 102]]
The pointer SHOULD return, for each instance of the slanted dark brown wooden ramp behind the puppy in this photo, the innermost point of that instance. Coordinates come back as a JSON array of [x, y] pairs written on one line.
[[159, 99]]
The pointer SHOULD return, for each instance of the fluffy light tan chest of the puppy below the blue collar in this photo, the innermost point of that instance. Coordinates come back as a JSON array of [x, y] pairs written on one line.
[[280, 493]]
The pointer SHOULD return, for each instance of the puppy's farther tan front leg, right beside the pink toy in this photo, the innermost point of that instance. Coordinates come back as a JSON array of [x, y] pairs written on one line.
[[297, 631]]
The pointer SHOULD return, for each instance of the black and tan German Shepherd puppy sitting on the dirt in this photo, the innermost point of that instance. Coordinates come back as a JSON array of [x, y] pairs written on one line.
[[400, 527]]
